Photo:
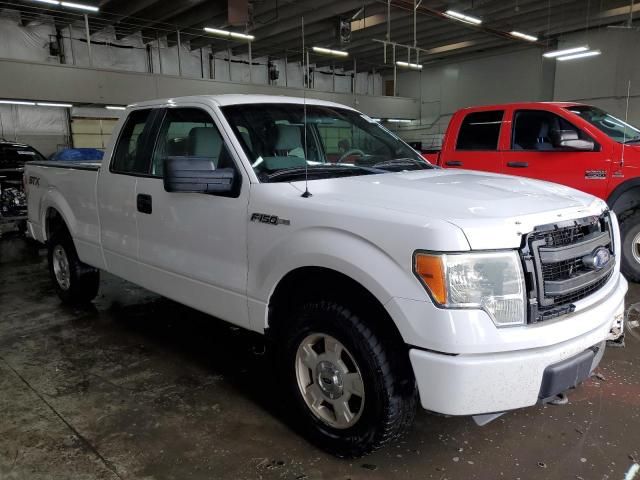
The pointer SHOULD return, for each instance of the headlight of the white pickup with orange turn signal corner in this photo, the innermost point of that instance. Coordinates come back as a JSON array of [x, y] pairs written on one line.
[[491, 281]]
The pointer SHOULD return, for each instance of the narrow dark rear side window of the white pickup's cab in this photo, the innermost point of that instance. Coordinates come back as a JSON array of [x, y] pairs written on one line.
[[130, 152]]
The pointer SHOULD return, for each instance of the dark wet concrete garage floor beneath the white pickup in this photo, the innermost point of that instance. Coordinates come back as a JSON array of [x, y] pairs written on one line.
[[140, 387]]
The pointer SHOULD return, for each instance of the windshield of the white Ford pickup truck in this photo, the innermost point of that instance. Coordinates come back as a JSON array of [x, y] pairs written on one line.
[[332, 142]]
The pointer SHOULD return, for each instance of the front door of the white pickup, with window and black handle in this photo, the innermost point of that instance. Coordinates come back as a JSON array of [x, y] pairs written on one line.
[[193, 246]]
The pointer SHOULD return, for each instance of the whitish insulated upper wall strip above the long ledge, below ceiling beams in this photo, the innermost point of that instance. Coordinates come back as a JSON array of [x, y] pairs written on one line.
[[31, 42]]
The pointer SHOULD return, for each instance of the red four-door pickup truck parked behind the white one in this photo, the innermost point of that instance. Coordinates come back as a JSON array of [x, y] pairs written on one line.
[[577, 145]]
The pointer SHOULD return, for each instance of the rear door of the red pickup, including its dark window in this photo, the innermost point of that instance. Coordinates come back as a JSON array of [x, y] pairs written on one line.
[[473, 141]]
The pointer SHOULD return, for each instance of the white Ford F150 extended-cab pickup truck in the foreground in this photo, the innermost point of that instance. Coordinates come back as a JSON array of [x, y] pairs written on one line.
[[378, 279]]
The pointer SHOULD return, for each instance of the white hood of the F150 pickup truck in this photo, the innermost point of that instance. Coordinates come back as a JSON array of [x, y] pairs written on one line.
[[493, 211]]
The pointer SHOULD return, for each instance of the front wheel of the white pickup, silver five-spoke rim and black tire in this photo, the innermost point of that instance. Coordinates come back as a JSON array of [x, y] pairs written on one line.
[[347, 390]]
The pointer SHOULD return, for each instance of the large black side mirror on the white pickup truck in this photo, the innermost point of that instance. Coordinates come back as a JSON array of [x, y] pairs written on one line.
[[197, 175]]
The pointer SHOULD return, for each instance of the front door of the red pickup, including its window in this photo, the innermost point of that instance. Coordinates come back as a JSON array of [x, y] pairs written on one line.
[[534, 152]]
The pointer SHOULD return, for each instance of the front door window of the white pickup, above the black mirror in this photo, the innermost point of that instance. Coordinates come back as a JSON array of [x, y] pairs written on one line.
[[189, 132]]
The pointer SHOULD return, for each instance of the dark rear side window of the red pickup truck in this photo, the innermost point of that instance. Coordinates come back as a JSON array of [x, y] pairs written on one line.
[[480, 131]]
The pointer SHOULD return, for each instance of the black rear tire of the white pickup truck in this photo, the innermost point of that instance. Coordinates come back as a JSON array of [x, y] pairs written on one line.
[[83, 281]]
